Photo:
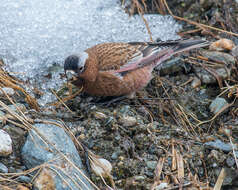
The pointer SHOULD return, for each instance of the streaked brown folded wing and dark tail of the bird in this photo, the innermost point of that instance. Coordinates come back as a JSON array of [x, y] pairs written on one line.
[[121, 57]]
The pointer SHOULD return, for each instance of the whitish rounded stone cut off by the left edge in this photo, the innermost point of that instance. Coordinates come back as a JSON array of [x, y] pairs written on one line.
[[5, 143]]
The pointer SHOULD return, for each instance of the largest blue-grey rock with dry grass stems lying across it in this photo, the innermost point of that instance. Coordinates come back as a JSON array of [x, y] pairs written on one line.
[[36, 151]]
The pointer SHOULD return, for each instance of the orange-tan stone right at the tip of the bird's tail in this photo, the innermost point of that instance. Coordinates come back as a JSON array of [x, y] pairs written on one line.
[[222, 44]]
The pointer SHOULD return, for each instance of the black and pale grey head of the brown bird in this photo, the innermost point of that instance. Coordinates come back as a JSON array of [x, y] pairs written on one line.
[[76, 62]]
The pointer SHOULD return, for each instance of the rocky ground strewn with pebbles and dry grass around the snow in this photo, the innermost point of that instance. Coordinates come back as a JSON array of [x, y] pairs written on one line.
[[179, 133]]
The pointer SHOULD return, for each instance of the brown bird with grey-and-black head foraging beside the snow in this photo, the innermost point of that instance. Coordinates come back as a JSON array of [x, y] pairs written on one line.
[[117, 69]]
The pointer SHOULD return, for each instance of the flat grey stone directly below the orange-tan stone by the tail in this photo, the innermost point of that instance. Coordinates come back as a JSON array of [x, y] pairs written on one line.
[[219, 57]]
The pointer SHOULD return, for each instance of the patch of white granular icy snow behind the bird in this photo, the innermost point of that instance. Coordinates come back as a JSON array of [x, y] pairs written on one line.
[[37, 34]]
